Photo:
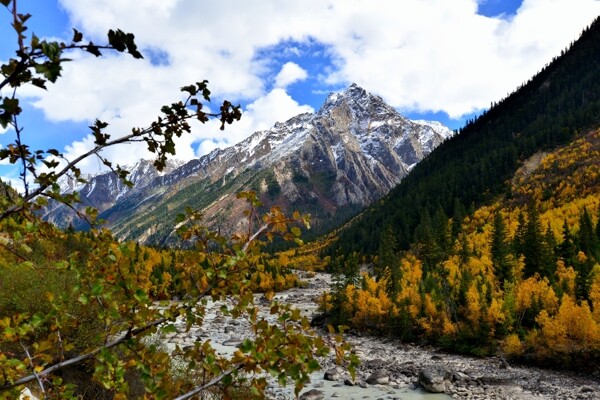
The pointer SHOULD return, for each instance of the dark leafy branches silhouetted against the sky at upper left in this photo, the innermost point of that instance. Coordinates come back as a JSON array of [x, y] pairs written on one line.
[[41, 62]]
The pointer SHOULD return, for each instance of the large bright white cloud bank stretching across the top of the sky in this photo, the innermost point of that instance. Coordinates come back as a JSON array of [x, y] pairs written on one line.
[[420, 55]]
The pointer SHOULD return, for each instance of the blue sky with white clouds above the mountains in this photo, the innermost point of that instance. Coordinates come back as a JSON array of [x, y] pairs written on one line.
[[435, 59]]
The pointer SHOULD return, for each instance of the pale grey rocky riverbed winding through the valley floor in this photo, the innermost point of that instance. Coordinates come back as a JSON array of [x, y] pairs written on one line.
[[393, 370]]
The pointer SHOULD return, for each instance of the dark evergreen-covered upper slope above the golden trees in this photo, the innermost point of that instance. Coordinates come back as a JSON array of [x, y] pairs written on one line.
[[471, 168]]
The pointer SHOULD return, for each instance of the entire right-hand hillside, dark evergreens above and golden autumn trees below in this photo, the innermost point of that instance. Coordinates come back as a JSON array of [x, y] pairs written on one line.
[[493, 241]]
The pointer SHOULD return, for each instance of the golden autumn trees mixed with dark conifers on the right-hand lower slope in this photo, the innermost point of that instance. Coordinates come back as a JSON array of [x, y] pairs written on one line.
[[522, 272]]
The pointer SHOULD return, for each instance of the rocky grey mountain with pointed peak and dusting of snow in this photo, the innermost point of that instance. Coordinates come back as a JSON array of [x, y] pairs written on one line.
[[330, 163]]
